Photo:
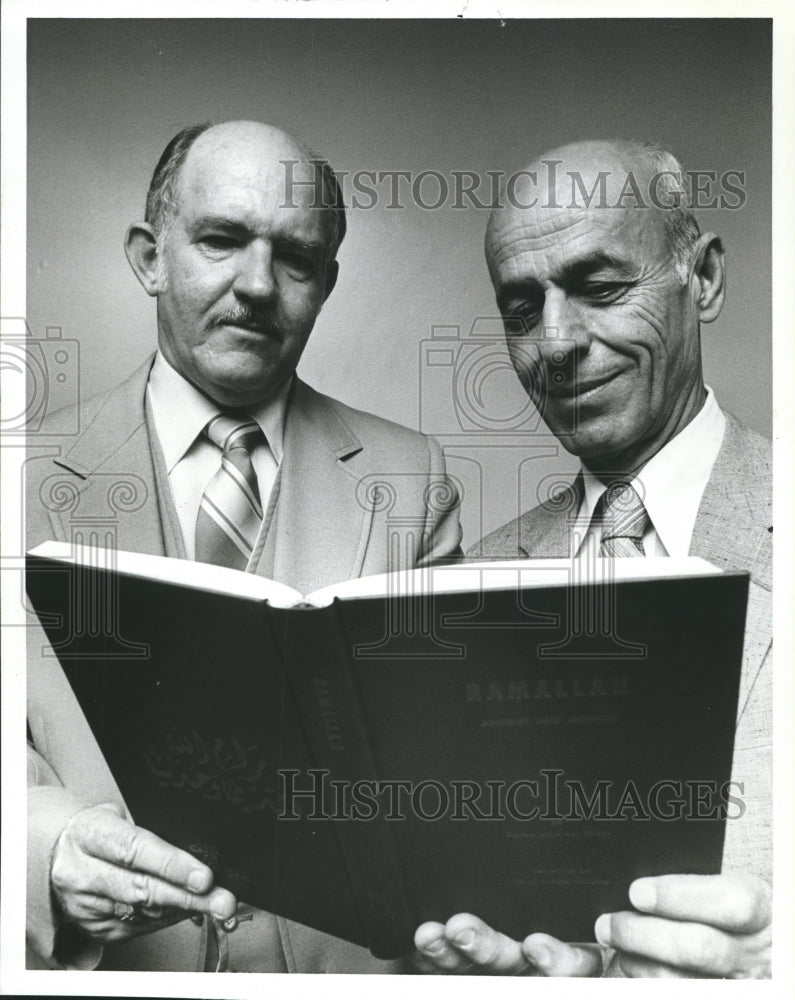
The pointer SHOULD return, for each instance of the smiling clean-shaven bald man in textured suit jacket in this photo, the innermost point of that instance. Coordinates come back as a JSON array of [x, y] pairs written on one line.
[[603, 282]]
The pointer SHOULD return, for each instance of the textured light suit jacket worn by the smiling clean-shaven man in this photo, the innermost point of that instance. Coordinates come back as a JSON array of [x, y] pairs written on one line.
[[733, 530]]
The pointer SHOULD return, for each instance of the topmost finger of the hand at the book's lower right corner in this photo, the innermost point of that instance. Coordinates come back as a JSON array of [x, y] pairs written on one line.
[[733, 901]]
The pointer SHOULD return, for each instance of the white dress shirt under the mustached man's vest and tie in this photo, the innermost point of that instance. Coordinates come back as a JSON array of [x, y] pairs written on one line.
[[181, 412]]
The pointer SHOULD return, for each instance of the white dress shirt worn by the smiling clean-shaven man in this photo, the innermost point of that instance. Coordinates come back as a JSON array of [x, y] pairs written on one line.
[[670, 485]]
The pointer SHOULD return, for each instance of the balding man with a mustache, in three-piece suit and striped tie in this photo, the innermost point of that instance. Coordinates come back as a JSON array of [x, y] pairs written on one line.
[[240, 260]]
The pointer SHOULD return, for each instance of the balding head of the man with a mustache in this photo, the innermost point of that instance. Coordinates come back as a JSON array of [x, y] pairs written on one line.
[[238, 249]]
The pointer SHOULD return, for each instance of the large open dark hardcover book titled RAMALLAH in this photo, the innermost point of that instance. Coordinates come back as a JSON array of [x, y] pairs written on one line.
[[518, 740]]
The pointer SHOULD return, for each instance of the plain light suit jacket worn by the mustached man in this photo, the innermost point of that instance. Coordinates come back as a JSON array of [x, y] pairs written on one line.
[[328, 520]]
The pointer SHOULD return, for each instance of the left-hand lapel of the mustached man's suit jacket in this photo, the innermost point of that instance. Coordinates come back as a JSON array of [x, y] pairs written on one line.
[[110, 466]]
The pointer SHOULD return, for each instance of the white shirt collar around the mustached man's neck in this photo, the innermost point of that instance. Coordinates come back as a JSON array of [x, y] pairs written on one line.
[[181, 412]]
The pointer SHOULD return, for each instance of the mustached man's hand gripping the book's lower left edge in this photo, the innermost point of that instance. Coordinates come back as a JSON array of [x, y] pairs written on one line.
[[103, 866]]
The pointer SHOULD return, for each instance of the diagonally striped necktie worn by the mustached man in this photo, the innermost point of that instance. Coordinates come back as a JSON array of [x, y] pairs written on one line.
[[230, 513]]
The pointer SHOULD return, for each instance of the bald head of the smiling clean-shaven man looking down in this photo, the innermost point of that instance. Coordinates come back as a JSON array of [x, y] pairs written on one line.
[[603, 279]]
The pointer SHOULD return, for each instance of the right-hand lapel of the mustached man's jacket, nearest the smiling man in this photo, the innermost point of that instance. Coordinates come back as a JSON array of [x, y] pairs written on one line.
[[318, 525]]
